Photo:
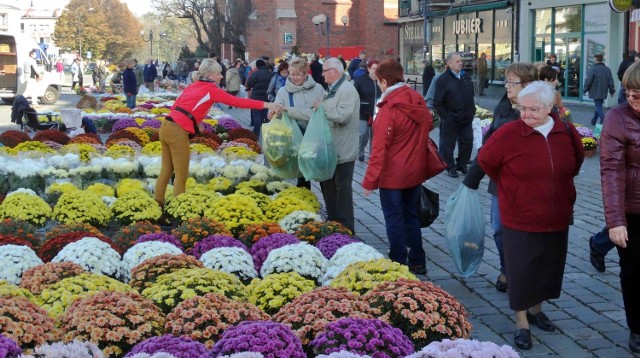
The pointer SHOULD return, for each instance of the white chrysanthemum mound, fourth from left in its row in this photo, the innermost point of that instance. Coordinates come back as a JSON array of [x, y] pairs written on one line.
[[233, 260]]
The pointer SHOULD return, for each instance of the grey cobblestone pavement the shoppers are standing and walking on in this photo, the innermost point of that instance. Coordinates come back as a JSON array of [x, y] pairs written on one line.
[[589, 313]]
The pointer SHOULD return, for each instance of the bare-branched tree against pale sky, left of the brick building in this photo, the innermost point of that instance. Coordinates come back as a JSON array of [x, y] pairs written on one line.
[[215, 21]]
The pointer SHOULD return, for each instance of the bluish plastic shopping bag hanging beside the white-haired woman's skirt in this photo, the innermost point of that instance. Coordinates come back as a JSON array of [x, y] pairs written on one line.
[[464, 226]]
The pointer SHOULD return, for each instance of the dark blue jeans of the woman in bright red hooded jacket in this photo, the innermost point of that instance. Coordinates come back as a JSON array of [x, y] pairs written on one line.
[[400, 210]]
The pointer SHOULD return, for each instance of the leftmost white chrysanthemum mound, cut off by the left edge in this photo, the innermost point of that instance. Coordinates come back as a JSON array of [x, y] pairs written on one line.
[[15, 260]]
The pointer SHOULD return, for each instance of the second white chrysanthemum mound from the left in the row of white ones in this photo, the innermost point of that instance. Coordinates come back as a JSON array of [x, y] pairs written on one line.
[[93, 255]]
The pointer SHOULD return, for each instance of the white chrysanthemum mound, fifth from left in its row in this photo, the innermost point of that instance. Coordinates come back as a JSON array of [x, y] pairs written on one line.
[[302, 258]]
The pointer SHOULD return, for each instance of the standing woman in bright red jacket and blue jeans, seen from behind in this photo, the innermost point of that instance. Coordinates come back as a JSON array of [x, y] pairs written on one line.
[[397, 164]]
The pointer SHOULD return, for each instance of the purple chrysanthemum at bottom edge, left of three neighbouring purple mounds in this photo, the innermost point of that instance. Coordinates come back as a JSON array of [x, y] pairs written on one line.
[[180, 347]]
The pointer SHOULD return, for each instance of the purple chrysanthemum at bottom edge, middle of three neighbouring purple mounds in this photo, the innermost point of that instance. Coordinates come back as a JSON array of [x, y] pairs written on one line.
[[269, 338]]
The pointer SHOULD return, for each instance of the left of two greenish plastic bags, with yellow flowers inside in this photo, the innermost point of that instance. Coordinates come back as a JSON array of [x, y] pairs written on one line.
[[280, 142]]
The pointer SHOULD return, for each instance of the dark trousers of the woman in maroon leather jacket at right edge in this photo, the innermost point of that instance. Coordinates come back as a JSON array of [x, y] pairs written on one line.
[[630, 273]]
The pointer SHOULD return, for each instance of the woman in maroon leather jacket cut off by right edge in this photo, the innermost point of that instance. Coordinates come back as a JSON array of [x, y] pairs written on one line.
[[619, 167]]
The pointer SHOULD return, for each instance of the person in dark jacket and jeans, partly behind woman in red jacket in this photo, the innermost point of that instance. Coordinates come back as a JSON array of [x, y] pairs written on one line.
[[369, 92]]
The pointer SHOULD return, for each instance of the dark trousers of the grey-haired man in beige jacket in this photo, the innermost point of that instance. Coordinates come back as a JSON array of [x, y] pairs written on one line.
[[338, 196]]
